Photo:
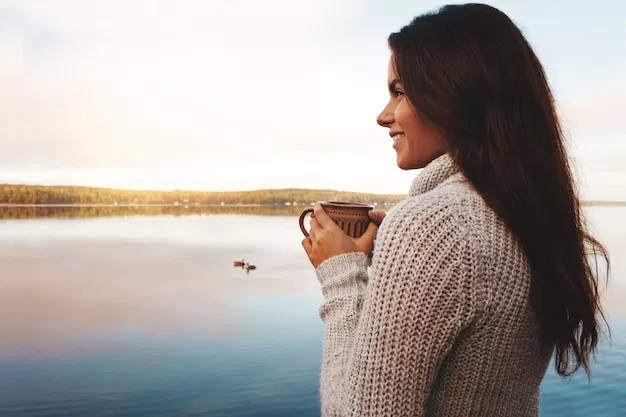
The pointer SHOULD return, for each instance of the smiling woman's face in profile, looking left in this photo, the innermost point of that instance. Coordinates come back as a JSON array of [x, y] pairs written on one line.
[[415, 142]]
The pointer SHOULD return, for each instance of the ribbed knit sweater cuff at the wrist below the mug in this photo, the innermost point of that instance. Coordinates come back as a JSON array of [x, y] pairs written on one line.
[[343, 274]]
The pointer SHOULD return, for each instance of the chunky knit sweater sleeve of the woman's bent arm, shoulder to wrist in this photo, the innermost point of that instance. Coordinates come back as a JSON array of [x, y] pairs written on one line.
[[385, 341]]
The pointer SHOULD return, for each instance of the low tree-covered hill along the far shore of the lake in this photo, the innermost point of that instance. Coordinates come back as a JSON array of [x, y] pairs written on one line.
[[35, 194]]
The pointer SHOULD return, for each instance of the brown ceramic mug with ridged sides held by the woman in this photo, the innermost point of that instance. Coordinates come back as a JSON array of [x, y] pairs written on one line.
[[353, 218]]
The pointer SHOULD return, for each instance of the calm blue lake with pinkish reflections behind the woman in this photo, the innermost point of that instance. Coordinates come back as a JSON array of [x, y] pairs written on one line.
[[124, 314]]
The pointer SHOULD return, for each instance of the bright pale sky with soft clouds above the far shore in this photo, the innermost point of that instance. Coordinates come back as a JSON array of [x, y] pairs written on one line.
[[242, 94]]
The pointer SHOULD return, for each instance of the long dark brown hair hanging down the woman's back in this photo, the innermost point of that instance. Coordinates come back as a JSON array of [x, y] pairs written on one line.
[[469, 71]]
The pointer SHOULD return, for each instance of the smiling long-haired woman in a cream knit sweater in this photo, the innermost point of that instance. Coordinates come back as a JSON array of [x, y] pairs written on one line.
[[480, 275]]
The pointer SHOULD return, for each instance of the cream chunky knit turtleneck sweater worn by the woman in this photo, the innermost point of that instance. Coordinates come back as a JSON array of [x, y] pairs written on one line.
[[440, 323]]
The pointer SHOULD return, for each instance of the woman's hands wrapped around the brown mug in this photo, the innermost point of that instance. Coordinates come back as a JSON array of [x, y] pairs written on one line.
[[326, 239]]
